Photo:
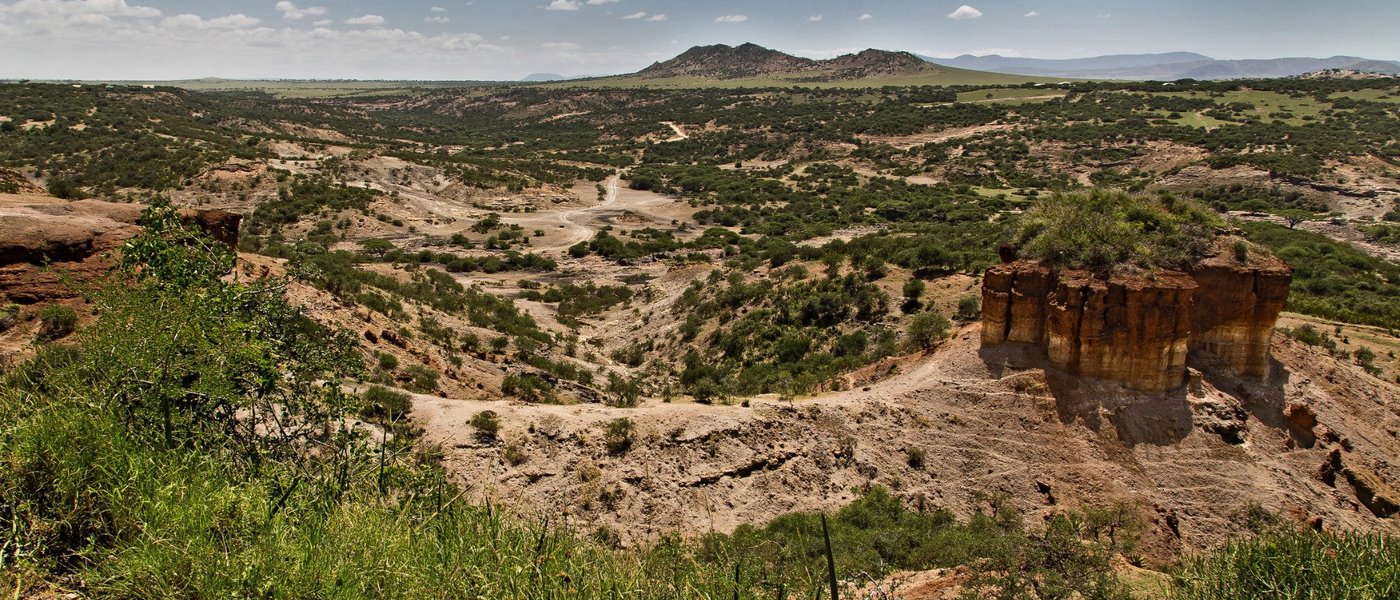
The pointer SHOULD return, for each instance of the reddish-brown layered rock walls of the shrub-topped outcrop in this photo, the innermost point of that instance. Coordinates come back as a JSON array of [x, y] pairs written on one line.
[[1140, 329]]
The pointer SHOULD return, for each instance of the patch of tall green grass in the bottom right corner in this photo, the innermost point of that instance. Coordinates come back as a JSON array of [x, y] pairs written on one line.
[[1291, 564]]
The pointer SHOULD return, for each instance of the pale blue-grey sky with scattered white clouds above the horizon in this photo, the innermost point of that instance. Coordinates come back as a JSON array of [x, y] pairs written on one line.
[[507, 40]]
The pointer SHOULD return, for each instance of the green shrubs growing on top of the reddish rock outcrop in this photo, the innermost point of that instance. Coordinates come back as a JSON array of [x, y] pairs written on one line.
[[1105, 229]]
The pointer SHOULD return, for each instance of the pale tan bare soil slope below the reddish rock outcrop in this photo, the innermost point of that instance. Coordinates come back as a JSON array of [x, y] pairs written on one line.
[[990, 423]]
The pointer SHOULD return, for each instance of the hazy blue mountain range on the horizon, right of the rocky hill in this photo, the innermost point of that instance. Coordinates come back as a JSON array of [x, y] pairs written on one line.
[[1165, 66]]
